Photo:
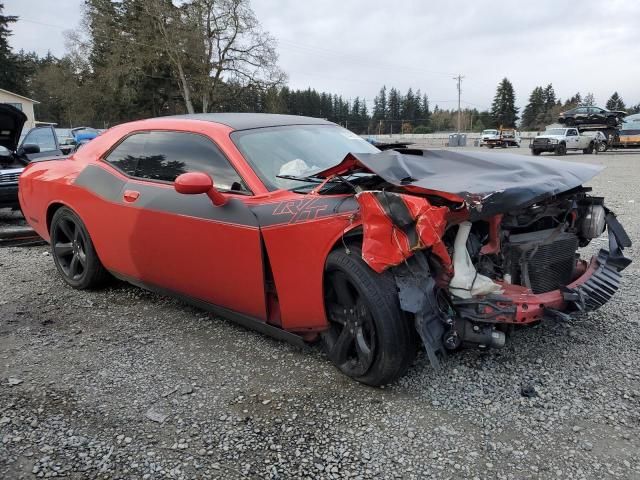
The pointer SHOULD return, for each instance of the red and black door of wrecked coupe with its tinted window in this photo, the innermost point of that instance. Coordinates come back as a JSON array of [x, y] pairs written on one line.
[[183, 243]]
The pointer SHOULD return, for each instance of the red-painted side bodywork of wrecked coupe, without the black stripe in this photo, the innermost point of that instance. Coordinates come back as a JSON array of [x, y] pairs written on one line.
[[221, 263]]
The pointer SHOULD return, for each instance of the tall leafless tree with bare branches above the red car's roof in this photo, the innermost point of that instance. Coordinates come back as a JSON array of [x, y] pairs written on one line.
[[213, 42]]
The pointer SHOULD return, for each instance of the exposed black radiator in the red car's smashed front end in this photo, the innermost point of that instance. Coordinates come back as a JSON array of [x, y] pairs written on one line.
[[549, 264]]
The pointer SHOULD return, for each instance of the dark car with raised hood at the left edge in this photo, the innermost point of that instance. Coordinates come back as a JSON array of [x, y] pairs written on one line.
[[39, 142]]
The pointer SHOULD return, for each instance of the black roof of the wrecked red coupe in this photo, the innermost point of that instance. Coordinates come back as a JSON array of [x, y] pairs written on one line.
[[245, 121]]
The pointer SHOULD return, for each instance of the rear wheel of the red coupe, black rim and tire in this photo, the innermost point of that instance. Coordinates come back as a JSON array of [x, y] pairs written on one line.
[[78, 244]]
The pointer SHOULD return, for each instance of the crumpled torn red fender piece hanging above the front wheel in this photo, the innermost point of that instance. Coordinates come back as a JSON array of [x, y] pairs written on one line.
[[394, 225]]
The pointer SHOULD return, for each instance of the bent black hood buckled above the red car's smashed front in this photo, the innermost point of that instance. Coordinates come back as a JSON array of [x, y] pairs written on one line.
[[489, 183]]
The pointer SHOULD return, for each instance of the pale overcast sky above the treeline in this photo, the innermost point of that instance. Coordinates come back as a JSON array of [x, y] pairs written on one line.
[[353, 47]]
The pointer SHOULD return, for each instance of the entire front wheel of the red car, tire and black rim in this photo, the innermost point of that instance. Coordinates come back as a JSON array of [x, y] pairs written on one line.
[[369, 338]]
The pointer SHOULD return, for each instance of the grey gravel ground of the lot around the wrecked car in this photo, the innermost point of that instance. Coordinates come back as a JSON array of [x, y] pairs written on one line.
[[121, 383]]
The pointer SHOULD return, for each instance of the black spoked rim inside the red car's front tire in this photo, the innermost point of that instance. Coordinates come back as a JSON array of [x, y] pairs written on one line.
[[351, 340]]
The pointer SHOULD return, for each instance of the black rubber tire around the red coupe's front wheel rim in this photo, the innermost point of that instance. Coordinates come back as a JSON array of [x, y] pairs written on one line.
[[396, 341]]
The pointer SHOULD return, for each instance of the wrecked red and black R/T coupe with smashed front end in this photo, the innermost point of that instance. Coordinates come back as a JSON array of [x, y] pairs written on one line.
[[301, 229]]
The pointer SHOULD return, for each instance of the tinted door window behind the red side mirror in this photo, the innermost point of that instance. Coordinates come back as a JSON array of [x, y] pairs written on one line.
[[169, 154]]
